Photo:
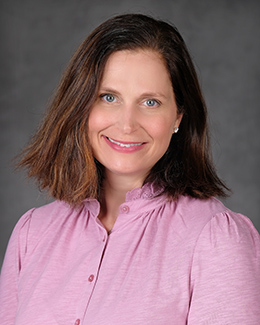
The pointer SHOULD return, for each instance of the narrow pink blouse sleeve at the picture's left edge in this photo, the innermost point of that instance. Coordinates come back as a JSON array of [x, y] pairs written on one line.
[[10, 271]]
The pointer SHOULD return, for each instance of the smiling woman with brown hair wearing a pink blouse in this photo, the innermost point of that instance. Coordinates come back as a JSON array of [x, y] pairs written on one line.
[[136, 235]]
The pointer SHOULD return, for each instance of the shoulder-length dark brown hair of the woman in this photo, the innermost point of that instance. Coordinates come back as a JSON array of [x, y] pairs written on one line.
[[59, 155]]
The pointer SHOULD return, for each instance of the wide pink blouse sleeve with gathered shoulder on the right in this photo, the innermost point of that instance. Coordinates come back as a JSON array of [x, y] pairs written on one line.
[[225, 276]]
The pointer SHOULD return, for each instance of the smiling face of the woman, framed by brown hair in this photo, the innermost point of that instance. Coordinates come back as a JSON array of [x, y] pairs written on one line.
[[132, 121]]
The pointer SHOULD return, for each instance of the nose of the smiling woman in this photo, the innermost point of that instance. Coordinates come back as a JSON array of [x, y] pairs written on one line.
[[128, 120]]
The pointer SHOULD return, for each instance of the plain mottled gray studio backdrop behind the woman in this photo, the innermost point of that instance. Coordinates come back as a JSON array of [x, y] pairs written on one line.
[[39, 36]]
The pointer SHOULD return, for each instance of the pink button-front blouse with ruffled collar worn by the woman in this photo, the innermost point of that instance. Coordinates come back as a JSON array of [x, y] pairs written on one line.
[[180, 262]]
